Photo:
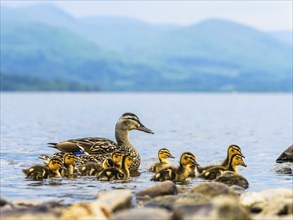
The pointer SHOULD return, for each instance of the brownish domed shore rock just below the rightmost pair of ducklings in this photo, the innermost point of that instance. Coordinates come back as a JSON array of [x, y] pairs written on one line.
[[214, 189]]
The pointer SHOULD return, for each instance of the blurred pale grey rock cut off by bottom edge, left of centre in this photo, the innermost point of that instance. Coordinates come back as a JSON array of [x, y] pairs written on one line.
[[142, 214]]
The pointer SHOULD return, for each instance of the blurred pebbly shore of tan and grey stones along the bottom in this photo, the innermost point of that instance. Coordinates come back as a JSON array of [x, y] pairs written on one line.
[[164, 201]]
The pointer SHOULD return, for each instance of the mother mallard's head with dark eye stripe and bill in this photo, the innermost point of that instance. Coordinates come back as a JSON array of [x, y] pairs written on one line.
[[129, 121]]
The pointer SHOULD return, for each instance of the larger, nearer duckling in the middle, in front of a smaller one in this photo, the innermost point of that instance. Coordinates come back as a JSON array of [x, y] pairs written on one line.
[[187, 164]]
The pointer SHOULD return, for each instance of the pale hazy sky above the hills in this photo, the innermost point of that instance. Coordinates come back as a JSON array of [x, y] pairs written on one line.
[[264, 15]]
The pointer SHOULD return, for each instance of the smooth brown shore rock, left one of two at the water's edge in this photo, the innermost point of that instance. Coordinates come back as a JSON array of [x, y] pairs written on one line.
[[163, 188]]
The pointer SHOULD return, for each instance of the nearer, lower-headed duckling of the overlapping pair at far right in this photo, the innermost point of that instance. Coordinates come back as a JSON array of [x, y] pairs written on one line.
[[215, 171]]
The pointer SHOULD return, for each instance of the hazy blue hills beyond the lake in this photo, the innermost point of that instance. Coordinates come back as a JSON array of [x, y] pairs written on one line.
[[120, 54]]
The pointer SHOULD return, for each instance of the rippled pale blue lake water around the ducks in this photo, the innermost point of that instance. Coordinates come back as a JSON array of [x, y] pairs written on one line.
[[204, 124]]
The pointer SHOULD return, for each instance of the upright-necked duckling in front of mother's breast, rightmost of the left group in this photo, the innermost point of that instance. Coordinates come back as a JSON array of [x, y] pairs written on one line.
[[117, 174]]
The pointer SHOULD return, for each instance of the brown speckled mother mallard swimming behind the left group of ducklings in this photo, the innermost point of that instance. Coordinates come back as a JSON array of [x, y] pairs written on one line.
[[102, 147]]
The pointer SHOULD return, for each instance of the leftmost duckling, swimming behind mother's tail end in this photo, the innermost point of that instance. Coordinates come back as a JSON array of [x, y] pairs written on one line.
[[39, 172]]
